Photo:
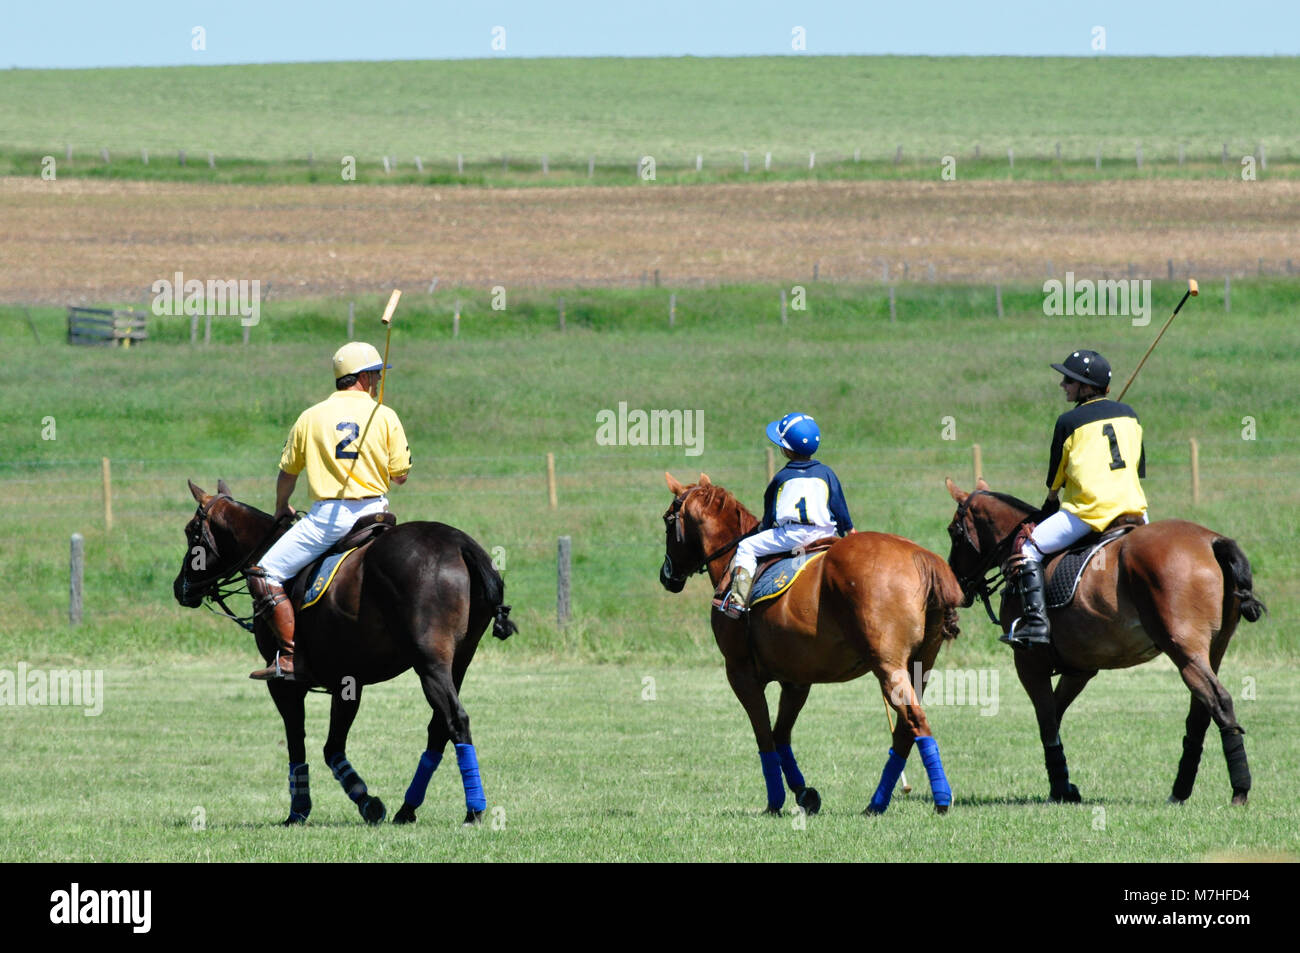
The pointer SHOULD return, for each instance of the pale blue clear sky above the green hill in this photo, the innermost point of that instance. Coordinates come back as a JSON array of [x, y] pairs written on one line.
[[163, 33]]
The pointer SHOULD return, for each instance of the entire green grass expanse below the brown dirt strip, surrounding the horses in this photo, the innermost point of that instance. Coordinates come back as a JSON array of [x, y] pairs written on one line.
[[580, 765]]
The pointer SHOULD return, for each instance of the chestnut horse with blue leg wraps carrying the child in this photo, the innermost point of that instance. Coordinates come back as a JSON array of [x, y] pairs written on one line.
[[874, 604]]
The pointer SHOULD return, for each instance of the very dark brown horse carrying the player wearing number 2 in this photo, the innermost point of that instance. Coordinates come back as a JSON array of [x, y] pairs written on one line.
[[418, 596]]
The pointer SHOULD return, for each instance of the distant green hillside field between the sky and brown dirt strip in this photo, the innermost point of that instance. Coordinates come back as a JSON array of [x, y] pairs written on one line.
[[257, 119]]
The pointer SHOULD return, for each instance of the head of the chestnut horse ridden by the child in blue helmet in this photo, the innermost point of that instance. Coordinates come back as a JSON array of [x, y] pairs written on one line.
[[700, 519]]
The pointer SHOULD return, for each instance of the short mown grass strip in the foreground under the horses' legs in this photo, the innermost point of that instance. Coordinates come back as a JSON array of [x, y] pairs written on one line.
[[187, 764]]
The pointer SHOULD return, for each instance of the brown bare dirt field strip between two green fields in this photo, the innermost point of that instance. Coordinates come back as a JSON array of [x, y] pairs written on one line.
[[72, 241]]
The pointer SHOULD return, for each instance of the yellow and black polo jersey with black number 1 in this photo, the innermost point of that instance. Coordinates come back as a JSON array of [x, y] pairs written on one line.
[[1098, 458]]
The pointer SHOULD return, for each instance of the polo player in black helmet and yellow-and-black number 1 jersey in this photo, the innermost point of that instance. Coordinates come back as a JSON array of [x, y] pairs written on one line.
[[1098, 457]]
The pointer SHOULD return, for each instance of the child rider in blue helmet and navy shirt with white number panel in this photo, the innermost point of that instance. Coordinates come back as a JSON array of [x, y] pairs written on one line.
[[803, 504]]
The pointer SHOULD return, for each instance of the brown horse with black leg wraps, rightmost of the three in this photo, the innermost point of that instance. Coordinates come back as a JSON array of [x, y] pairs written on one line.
[[1168, 587]]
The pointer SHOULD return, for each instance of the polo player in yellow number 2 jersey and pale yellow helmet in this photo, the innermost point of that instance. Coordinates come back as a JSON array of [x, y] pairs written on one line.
[[348, 434]]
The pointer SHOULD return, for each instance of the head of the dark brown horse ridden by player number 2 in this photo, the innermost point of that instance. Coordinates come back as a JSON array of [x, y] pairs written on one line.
[[220, 539]]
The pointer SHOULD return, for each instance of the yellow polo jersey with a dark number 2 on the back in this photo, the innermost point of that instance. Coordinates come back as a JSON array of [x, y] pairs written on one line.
[[327, 440]]
